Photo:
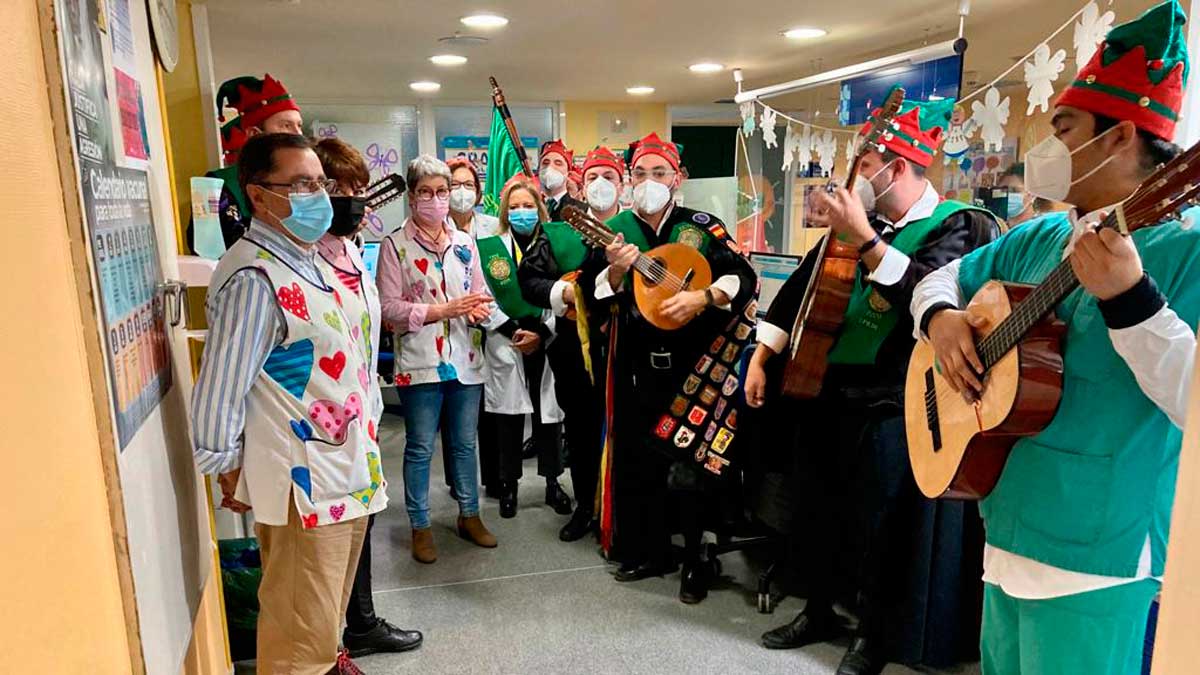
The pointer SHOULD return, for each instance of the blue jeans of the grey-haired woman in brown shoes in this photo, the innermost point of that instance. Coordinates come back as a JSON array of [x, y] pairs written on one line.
[[427, 407]]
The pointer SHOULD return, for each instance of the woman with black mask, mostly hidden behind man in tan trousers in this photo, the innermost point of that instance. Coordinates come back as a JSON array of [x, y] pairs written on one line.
[[365, 634]]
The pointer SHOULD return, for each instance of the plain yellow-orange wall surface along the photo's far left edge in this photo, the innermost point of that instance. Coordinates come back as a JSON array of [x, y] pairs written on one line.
[[62, 596]]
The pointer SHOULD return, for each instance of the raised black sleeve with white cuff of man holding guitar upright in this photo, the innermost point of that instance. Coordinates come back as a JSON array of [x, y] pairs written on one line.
[[958, 236]]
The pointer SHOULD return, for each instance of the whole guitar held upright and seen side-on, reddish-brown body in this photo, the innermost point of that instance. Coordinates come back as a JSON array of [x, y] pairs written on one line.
[[829, 291]]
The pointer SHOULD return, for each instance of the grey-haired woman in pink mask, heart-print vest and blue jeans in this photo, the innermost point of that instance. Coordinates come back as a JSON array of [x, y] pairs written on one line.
[[433, 291]]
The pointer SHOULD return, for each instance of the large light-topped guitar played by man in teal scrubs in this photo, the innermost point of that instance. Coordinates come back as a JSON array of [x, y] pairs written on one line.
[[958, 450]]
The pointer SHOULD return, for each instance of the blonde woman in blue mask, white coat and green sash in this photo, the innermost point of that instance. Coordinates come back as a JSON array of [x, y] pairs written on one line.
[[519, 380]]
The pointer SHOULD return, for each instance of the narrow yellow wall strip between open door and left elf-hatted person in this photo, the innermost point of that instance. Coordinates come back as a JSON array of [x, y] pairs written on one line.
[[187, 112]]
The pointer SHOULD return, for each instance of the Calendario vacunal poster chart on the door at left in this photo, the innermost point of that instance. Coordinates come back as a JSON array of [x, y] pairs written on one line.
[[127, 261]]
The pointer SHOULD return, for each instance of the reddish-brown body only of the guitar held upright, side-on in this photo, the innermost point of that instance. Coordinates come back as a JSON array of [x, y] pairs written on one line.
[[813, 338]]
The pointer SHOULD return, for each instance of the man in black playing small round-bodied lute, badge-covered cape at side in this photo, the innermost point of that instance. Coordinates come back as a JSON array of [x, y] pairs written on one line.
[[650, 367]]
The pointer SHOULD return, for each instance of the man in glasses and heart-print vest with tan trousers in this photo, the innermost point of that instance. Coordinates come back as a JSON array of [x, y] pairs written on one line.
[[272, 368]]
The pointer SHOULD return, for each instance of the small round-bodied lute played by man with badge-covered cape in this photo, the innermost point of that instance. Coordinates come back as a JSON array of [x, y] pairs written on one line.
[[662, 272]]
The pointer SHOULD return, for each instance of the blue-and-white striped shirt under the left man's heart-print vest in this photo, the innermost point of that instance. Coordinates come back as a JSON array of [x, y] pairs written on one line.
[[245, 324]]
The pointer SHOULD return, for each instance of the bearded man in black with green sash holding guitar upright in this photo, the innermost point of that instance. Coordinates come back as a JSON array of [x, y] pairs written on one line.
[[861, 403]]
